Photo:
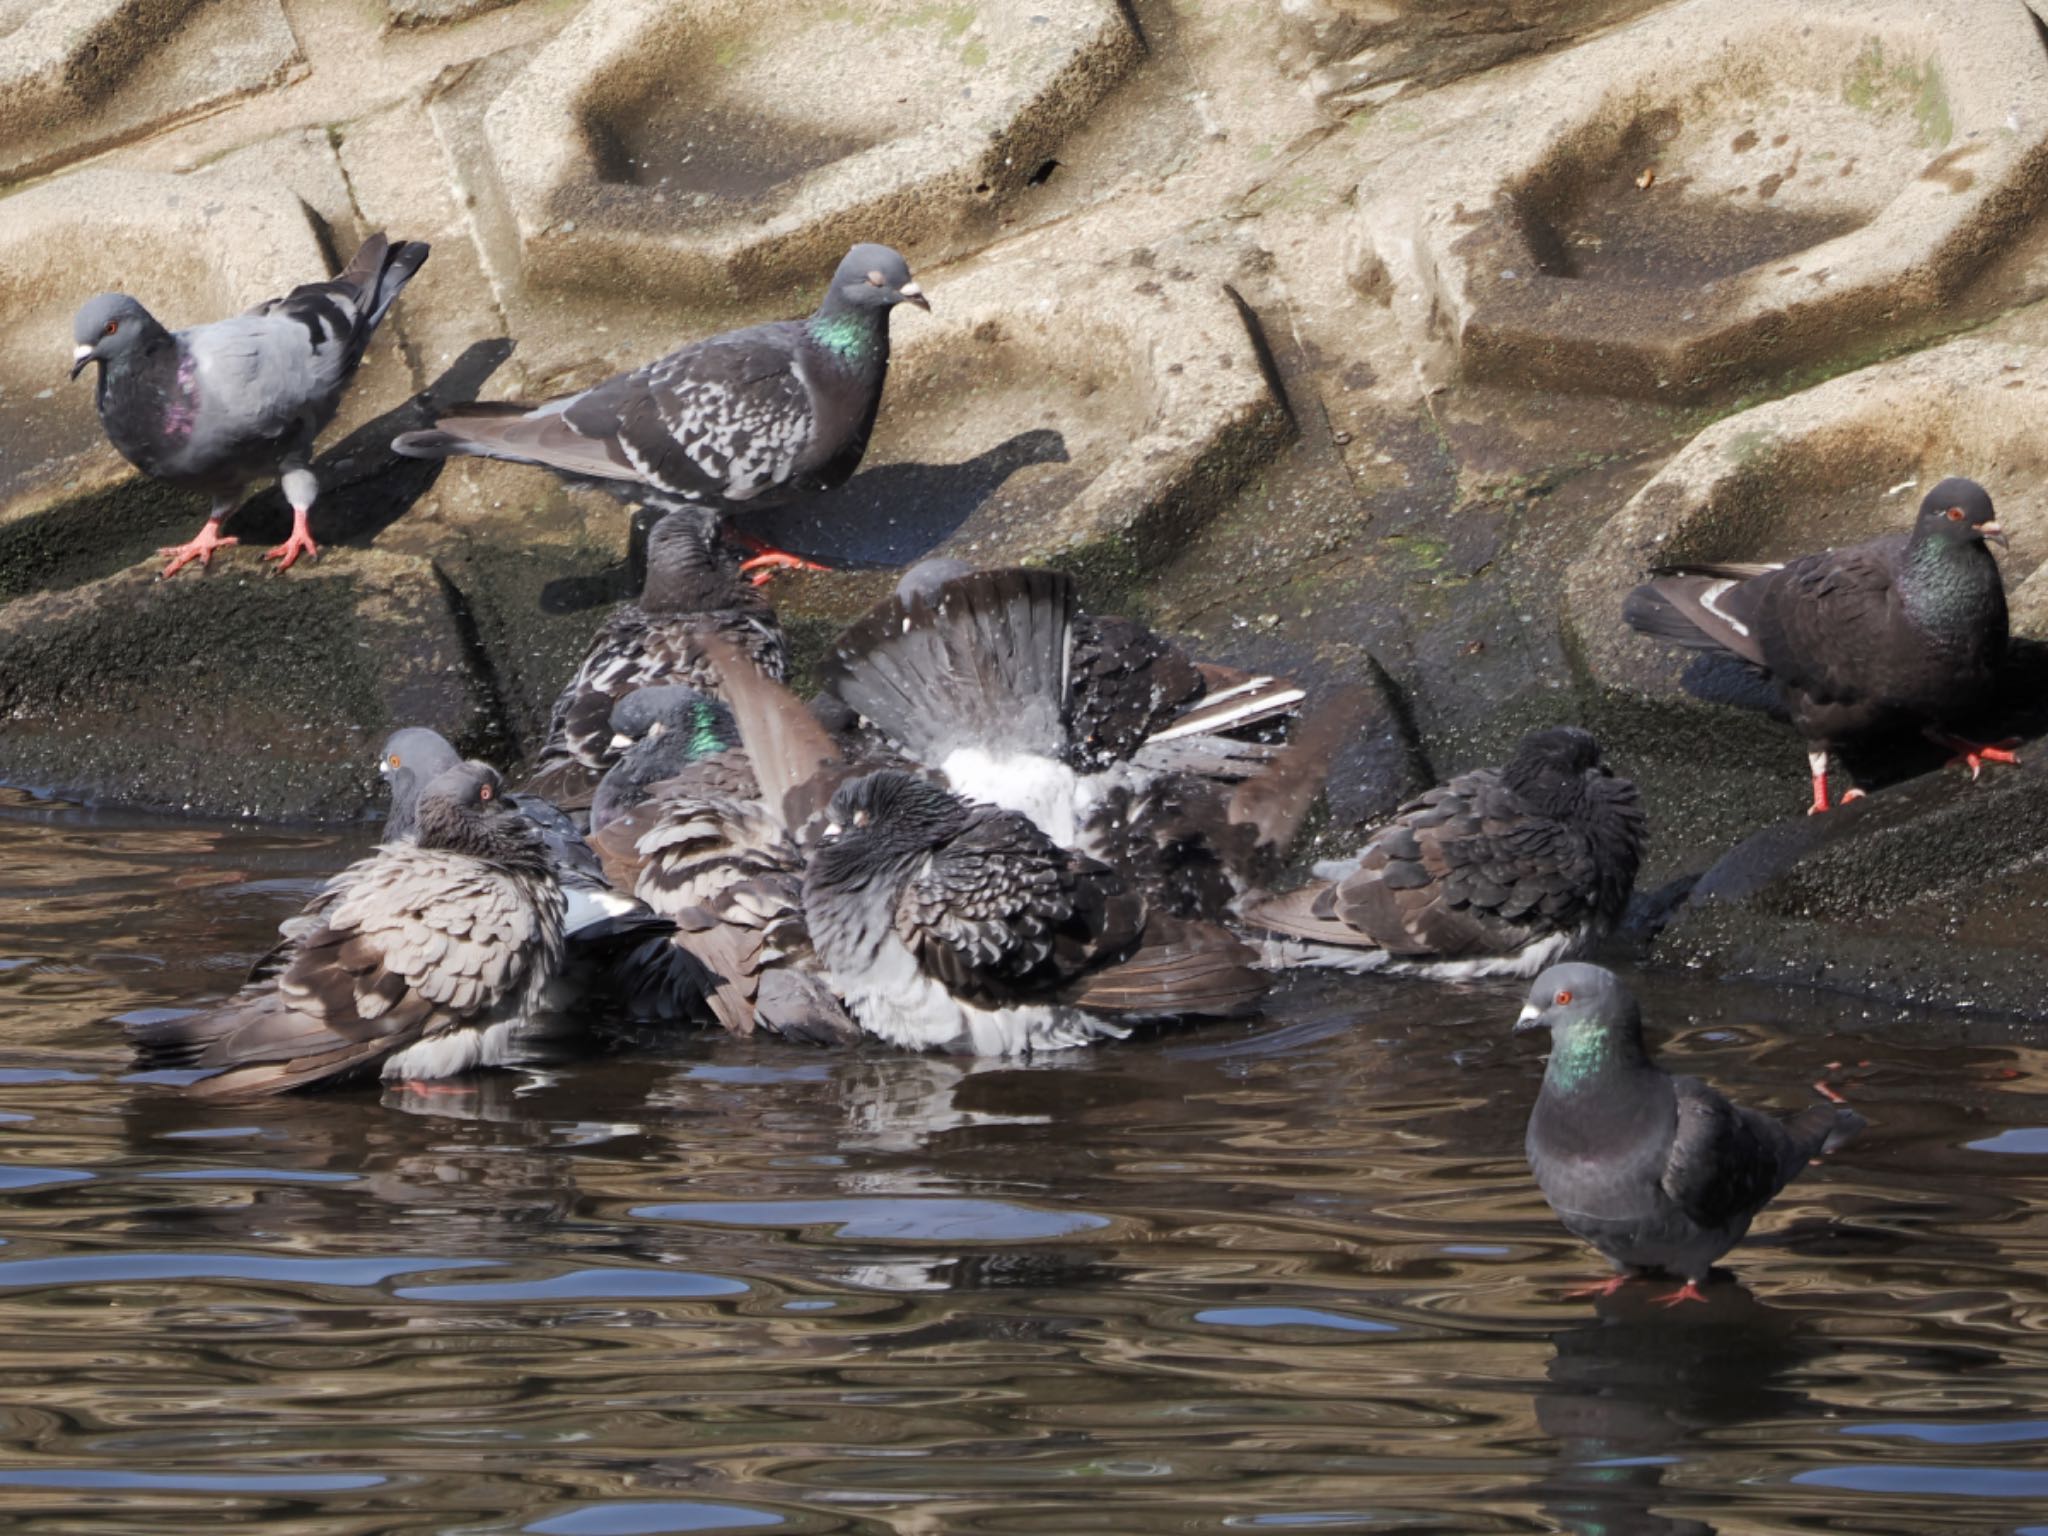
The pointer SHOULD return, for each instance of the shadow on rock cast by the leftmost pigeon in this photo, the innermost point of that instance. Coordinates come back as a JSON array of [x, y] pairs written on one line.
[[364, 486]]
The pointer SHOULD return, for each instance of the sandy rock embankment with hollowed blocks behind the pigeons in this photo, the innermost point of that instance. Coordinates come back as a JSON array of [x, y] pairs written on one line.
[[1228, 331]]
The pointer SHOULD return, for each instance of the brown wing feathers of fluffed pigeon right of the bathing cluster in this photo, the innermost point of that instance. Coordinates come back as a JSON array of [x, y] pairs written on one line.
[[1463, 869]]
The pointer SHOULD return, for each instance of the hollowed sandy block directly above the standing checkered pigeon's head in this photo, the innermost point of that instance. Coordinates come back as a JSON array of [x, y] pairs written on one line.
[[730, 146]]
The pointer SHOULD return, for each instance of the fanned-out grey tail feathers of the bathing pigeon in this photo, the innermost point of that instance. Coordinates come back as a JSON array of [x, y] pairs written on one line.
[[982, 665]]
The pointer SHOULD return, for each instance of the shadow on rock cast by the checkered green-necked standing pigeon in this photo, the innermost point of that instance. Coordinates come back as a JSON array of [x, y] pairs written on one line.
[[896, 515]]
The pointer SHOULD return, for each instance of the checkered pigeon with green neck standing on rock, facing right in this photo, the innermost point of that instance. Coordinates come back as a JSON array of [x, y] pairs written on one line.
[[751, 419]]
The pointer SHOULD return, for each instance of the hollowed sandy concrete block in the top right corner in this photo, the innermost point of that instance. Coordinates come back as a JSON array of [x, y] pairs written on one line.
[[1715, 191]]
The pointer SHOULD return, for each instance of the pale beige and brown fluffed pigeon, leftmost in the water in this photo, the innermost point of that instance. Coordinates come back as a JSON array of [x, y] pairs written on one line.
[[429, 959]]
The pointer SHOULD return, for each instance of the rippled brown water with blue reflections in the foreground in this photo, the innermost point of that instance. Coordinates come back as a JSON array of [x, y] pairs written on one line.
[[1281, 1277]]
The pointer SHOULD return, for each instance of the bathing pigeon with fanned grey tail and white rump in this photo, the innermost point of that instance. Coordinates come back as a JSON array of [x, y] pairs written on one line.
[[998, 683]]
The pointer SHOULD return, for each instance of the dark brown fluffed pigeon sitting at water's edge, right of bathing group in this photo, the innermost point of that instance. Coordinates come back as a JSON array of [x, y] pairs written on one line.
[[1498, 873]]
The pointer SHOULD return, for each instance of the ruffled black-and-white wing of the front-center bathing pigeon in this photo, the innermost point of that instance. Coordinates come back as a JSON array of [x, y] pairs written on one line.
[[1000, 914]]
